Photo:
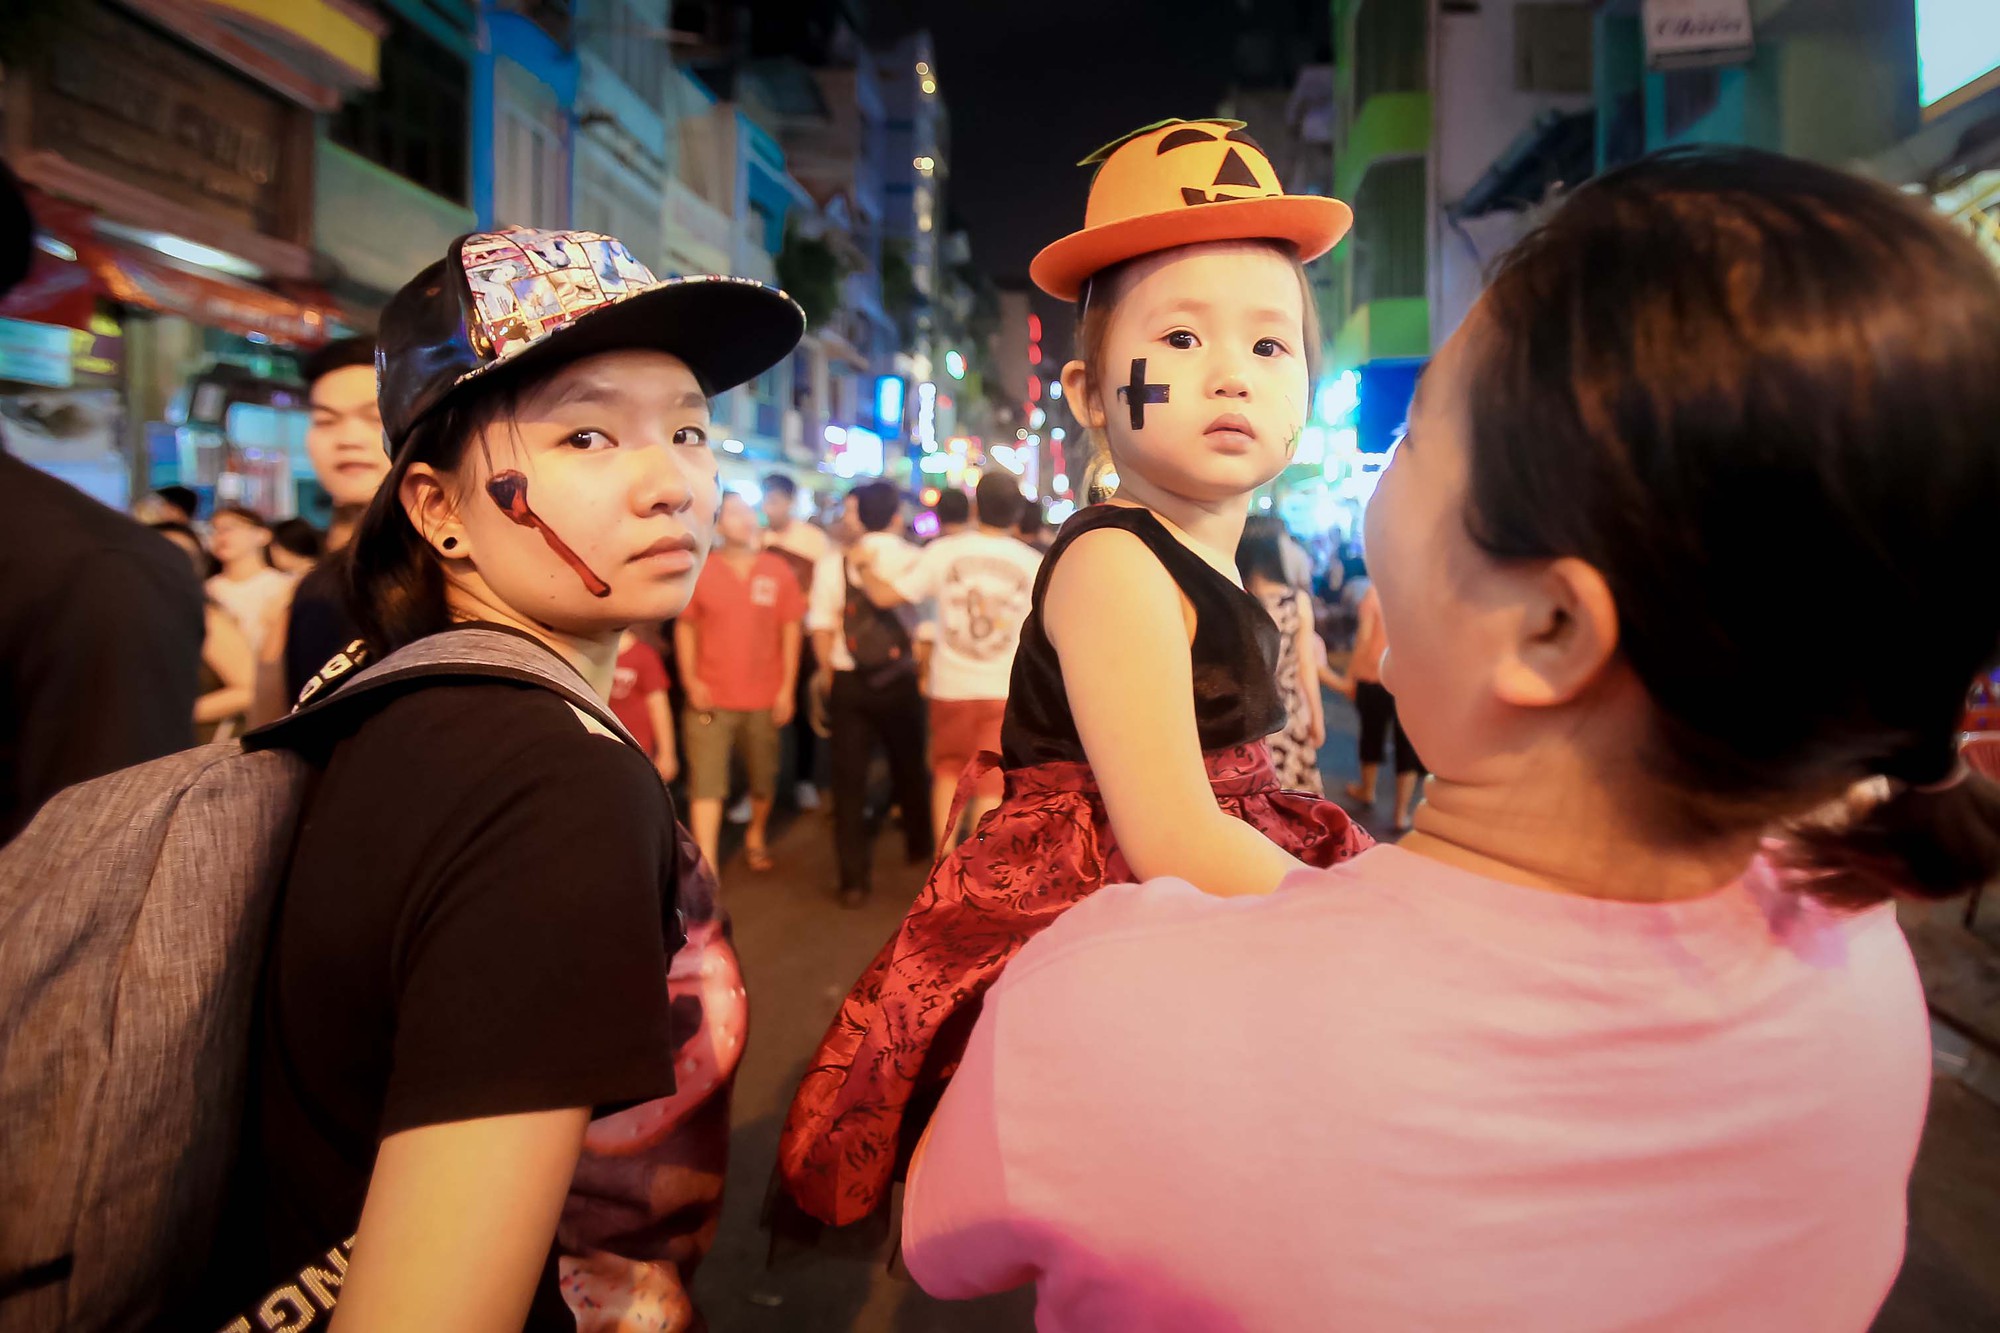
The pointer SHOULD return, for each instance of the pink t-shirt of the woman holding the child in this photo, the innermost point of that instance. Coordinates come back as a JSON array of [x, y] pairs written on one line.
[[1399, 1096]]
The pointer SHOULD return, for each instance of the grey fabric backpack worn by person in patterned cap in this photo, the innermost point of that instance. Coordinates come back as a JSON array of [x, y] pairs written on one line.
[[133, 924]]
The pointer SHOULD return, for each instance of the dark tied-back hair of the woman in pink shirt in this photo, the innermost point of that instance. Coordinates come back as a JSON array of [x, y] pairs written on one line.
[[1759, 397]]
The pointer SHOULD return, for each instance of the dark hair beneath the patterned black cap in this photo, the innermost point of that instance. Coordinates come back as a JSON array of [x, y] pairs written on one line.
[[393, 579]]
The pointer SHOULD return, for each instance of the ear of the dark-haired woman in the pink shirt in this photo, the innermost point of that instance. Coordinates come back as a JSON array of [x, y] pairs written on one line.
[[1565, 639]]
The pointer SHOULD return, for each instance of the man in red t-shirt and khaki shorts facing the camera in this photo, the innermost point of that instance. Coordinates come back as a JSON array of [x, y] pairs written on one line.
[[739, 655]]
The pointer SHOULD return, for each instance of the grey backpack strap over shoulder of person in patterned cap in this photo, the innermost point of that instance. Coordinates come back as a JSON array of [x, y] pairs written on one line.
[[467, 653]]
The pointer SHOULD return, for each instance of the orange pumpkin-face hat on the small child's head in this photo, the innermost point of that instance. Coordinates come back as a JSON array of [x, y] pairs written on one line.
[[1181, 183]]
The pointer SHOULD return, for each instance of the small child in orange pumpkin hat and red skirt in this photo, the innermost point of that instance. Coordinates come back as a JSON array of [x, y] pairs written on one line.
[[1137, 720]]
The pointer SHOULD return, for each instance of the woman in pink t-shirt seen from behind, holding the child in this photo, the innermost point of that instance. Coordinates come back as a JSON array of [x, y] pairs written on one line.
[[1625, 1036]]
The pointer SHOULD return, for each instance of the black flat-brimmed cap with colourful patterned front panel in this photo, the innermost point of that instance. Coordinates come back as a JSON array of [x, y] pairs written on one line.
[[523, 297]]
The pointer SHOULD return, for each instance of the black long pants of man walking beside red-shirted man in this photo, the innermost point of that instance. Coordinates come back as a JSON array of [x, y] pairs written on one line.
[[861, 718]]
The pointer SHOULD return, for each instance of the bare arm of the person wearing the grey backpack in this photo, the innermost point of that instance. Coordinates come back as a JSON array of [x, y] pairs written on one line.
[[457, 1226]]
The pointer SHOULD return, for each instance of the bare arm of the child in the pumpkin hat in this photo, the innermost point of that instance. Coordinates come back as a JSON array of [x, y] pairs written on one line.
[[1123, 631]]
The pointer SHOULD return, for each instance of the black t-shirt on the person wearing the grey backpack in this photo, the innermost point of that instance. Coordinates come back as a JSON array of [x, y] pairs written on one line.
[[477, 922]]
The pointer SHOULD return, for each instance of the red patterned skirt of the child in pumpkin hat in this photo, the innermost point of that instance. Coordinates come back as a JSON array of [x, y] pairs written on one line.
[[903, 1030]]
